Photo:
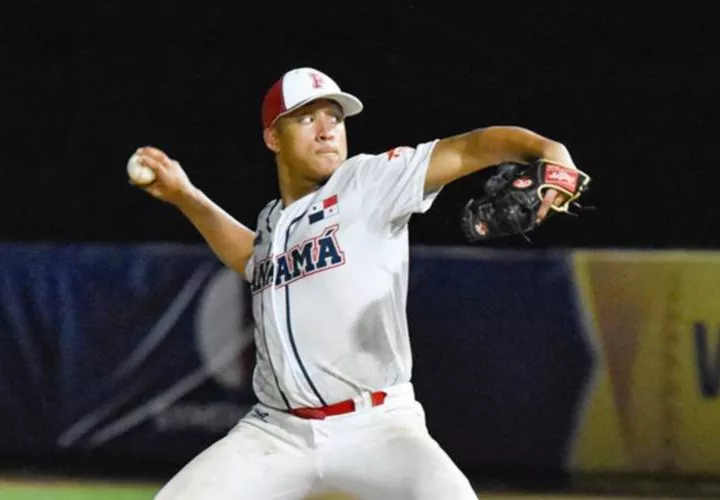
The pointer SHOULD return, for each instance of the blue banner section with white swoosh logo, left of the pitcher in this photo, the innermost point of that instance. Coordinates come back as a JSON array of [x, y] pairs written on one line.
[[140, 349]]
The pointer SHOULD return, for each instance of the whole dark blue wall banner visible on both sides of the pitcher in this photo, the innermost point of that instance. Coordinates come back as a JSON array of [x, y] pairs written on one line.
[[147, 349]]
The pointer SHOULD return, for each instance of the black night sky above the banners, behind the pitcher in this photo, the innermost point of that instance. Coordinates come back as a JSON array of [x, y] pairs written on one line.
[[631, 90]]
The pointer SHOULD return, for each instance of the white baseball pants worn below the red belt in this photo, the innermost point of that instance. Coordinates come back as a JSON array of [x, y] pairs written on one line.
[[374, 453]]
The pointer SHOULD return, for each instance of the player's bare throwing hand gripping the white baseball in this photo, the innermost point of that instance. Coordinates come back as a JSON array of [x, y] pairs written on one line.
[[171, 183]]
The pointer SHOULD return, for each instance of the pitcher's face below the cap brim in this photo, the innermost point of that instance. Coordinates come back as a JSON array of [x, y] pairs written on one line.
[[311, 139]]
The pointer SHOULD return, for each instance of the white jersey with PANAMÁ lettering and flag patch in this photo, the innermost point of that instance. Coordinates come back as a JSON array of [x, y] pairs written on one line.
[[329, 278]]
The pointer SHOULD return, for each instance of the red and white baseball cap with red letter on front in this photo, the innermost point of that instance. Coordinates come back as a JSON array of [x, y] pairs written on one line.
[[300, 86]]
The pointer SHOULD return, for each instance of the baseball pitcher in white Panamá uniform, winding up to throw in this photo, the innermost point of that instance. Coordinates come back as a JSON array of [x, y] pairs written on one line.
[[327, 265]]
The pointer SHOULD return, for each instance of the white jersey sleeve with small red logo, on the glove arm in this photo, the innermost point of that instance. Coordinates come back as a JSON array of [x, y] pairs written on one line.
[[393, 182]]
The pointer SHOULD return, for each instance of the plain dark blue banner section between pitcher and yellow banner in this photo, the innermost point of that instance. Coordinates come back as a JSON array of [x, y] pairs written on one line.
[[501, 356]]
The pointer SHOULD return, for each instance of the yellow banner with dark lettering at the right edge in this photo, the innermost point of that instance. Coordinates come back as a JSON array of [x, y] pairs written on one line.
[[653, 404]]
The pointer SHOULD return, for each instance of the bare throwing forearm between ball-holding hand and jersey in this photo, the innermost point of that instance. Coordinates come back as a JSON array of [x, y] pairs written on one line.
[[231, 241]]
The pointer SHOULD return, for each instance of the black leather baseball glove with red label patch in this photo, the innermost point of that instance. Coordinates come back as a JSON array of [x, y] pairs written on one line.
[[513, 196]]
